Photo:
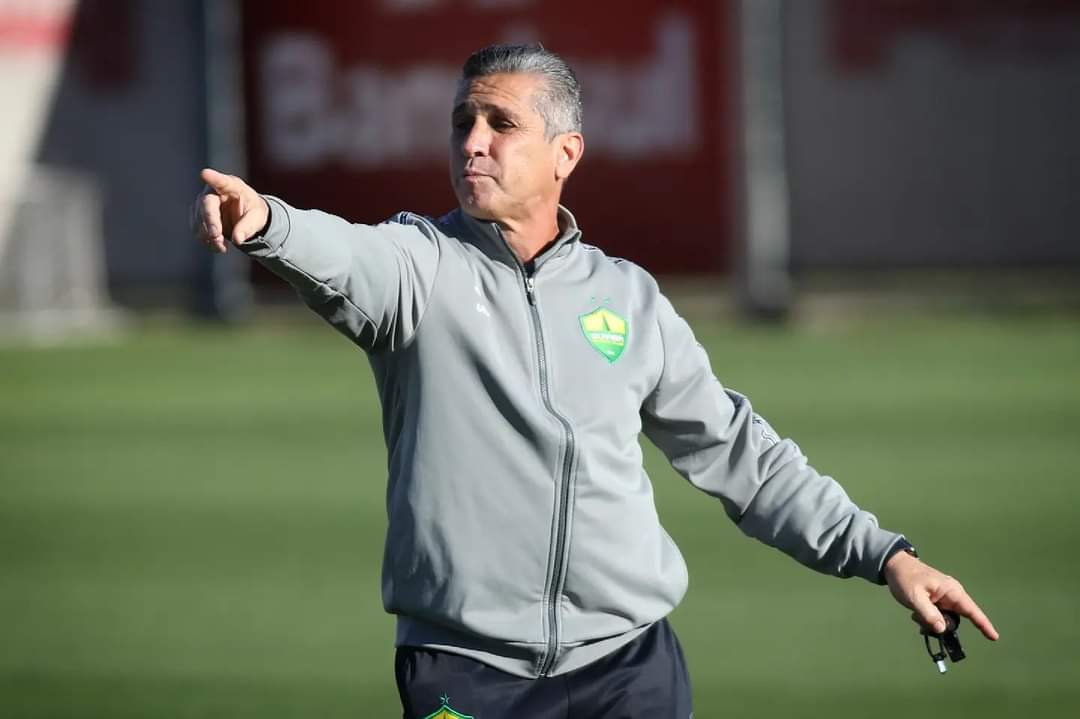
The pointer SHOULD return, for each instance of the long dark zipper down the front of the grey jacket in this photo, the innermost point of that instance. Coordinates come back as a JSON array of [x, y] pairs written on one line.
[[563, 518]]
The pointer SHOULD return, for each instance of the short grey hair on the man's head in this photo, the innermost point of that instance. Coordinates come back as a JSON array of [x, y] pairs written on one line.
[[559, 103]]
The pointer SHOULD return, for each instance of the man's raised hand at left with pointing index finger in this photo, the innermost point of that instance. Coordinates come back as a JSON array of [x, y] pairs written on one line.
[[228, 209]]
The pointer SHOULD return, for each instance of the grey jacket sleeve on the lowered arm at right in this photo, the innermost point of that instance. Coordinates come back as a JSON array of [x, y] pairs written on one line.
[[714, 440]]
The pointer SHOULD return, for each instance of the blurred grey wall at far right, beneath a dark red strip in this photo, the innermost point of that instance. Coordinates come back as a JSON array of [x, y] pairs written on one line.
[[942, 156]]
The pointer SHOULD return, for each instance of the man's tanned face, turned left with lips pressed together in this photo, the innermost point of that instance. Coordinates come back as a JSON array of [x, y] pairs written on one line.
[[503, 167]]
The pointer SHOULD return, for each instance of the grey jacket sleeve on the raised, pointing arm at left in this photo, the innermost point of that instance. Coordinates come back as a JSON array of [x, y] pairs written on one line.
[[372, 283]]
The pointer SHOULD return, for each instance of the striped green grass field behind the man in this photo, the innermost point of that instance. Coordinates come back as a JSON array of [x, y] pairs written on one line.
[[192, 524]]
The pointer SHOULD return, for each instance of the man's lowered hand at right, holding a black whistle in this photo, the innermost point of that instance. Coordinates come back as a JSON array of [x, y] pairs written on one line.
[[926, 591]]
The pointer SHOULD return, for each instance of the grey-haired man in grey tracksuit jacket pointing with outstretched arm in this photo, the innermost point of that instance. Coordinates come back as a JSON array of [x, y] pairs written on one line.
[[517, 369]]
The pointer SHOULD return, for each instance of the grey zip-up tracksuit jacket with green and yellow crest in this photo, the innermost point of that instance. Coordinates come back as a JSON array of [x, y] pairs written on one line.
[[522, 526]]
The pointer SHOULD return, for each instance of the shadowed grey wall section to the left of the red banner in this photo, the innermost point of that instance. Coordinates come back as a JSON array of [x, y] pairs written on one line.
[[144, 141]]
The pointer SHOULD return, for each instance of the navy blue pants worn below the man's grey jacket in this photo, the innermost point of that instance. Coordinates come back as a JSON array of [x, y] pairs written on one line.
[[645, 679]]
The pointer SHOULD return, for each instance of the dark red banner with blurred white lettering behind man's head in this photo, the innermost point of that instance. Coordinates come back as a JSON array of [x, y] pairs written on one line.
[[348, 111]]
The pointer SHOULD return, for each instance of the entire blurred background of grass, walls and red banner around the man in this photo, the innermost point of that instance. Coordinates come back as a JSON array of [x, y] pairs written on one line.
[[867, 209]]
